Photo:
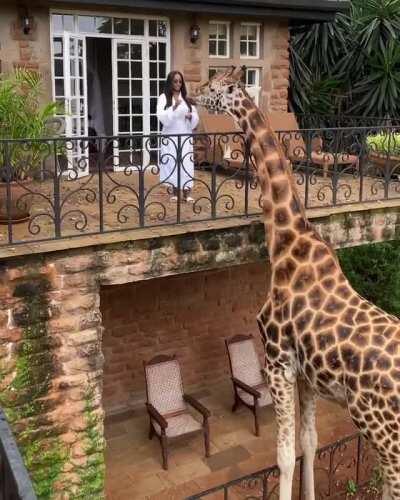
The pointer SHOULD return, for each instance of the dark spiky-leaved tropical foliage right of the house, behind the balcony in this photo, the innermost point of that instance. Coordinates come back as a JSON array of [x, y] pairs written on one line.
[[353, 62]]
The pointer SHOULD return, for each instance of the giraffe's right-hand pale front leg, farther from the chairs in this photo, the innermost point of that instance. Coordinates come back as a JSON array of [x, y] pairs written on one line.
[[308, 436]]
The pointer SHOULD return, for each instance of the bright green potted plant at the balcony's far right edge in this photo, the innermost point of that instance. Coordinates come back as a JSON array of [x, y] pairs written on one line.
[[384, 151]]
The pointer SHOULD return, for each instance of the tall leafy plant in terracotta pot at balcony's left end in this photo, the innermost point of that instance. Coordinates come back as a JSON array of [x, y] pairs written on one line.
[[23, 120]]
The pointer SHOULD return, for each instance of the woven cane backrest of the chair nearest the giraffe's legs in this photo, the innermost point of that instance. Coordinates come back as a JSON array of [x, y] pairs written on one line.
[[245, 362]]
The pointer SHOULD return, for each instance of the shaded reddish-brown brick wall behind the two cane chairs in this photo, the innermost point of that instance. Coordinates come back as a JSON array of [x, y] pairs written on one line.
[[189, 315]]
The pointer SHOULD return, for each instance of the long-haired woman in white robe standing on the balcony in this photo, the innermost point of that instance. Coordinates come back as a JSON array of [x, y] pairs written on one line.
[[178, 116]]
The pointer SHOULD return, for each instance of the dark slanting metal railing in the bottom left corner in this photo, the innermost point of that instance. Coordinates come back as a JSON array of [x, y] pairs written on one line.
[[15, 483]]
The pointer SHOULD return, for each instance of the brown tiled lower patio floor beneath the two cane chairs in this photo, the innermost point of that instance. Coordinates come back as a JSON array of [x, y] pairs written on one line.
[[133, 463]]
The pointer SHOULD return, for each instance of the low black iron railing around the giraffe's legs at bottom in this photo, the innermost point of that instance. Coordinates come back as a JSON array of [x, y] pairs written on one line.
[[344, 469]]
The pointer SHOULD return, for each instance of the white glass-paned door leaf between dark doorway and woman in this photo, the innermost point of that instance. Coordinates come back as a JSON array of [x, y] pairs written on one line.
[[131, 111]]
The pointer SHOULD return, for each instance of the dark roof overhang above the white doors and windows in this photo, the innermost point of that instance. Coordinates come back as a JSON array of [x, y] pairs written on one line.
[[295, 10]]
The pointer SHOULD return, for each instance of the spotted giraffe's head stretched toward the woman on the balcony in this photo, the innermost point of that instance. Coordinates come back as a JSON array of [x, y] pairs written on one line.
[[223, 92]]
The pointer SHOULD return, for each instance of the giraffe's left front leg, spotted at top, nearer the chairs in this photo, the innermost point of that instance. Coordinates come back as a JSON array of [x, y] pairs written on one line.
[[283, 398]]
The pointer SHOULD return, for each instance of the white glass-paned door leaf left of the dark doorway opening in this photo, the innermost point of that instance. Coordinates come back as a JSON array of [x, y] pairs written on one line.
[[75, 91]]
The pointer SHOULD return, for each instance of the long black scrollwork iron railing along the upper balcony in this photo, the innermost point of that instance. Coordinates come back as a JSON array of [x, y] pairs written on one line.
[[67, 187]]
